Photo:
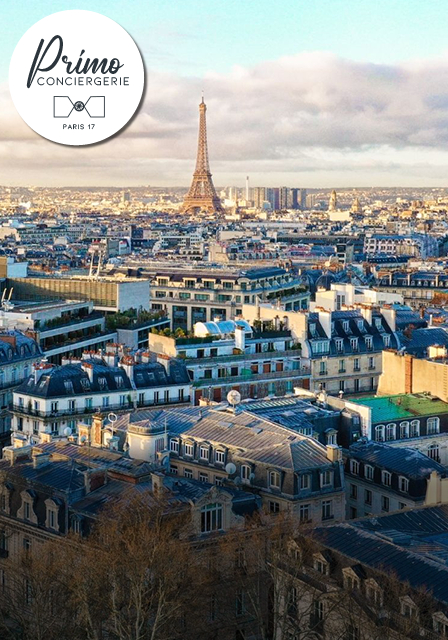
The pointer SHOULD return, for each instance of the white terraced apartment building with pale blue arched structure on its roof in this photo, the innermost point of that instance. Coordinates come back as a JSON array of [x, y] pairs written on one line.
[[231, 354]]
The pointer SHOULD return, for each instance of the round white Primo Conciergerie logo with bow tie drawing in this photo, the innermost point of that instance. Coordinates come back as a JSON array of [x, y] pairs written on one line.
[[76, 77]]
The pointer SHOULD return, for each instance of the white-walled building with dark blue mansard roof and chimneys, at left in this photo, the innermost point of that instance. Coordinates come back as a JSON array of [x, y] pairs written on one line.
[[56, 399]]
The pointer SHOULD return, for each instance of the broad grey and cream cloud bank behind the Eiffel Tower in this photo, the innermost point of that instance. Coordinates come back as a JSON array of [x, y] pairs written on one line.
[[312, 116]]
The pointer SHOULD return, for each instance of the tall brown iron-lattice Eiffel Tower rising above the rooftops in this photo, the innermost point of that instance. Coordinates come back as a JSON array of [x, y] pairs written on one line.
[[202, 195]]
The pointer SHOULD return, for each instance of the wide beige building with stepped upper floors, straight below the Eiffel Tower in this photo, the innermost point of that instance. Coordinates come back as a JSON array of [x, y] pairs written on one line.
[[201, 295]]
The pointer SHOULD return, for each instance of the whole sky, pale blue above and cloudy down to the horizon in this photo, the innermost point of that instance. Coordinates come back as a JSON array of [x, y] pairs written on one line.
[[306, 93]]
